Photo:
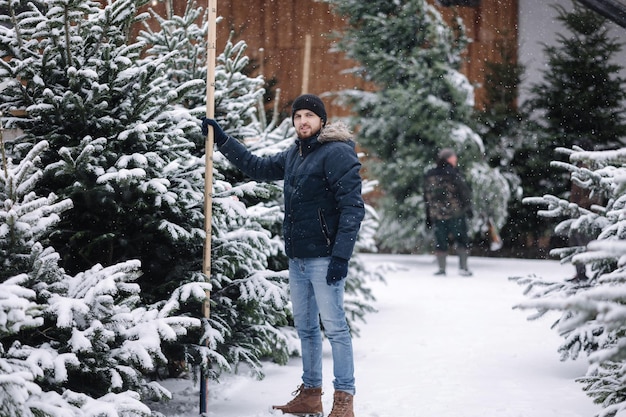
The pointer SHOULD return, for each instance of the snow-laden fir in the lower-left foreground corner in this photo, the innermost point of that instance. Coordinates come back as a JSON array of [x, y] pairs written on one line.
[[78, 345]]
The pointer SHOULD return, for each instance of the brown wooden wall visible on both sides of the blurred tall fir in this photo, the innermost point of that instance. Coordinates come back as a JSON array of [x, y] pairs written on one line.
[[276, 32]]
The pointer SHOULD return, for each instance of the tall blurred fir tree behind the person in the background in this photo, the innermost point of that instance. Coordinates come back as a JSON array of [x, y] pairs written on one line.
[[421, 103]]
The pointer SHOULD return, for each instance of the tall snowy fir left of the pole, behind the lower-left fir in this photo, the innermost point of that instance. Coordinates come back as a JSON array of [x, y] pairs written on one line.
[[118, 144]]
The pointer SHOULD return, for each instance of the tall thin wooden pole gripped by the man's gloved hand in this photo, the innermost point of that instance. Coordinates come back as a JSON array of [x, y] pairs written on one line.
[[208, 178]]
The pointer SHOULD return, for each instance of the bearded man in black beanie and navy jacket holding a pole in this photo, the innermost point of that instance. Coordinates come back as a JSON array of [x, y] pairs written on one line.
[[323, 214]]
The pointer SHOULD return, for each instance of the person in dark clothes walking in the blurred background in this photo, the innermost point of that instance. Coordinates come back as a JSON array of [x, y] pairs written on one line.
[[448, 203]]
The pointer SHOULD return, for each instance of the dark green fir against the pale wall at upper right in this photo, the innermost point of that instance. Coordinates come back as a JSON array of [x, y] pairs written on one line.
[[582, 92]]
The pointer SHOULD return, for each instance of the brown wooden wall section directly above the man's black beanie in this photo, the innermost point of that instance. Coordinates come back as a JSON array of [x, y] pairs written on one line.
[[277, 31]]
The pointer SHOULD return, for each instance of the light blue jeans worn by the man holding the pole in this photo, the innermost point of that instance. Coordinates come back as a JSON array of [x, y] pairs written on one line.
[[313, 298]]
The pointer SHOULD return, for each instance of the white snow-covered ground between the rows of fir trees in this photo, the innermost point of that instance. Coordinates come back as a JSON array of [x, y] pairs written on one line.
[[437, 347]]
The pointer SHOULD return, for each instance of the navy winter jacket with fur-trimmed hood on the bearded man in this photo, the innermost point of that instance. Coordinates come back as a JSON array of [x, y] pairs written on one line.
[[322, 190]]
